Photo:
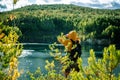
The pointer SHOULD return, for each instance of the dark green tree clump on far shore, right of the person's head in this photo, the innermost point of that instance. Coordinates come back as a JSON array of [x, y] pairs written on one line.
[[100, 25]]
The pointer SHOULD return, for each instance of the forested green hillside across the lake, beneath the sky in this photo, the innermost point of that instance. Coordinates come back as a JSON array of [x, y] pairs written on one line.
[[43, 23]]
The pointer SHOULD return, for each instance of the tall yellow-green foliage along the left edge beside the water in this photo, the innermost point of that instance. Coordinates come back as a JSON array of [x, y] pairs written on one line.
[[10, 49]]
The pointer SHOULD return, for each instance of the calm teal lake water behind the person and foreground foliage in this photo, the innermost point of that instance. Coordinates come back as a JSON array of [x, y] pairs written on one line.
[[35, 55]]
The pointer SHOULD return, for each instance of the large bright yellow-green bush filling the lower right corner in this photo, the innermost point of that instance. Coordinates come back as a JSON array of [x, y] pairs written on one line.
[[102, 69]]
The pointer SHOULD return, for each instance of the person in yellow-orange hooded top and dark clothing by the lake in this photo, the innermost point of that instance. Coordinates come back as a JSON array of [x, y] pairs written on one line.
[[71, 41]]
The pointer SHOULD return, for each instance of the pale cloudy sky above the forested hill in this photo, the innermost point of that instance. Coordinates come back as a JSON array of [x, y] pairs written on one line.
[[6, 5]]
